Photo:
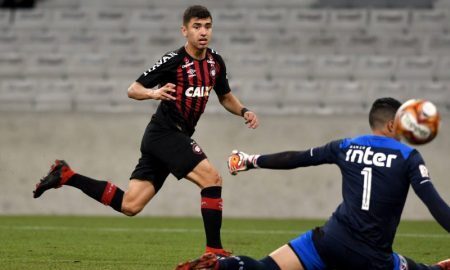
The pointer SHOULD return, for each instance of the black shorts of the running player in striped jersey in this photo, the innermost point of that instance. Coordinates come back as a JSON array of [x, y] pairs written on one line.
[[166, 150]]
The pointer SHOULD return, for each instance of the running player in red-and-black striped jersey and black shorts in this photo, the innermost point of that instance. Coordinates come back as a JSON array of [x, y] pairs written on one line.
[[185, 78]]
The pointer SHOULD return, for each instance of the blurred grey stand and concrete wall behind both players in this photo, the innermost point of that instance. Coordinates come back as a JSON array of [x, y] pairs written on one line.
[[309, 68]]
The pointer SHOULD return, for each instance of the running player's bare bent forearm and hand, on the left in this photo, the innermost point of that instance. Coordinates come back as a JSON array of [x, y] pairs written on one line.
[[139, 92]]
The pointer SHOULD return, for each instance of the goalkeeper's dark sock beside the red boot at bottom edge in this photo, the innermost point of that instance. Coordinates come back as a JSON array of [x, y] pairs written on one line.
[[247, 263]]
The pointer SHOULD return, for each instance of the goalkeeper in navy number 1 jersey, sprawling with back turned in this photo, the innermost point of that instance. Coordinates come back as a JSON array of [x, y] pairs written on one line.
[[377, 171]]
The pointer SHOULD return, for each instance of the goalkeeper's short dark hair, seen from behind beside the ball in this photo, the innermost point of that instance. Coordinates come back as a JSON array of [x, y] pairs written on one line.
[[383, 110]]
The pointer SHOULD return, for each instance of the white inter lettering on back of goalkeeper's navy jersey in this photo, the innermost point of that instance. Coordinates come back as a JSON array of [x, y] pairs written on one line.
[[364, 155]]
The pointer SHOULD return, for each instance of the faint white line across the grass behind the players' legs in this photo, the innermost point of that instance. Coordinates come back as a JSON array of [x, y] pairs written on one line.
[[185, 230]]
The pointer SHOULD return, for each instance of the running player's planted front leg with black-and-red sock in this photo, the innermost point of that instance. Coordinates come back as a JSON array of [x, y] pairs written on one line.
[[208, 179]]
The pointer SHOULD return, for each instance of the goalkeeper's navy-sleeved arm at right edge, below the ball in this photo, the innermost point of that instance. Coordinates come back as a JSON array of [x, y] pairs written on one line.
[[424, 188]]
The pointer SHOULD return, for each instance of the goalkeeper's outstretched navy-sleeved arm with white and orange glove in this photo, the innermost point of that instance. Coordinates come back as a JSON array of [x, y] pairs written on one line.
[[240, 161]]
